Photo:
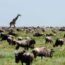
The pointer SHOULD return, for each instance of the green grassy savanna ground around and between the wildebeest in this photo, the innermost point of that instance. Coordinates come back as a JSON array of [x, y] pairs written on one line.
[[7, 52]]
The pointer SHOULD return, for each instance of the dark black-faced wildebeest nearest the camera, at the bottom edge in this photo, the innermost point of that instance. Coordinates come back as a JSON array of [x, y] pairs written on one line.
[[24, 57]]
